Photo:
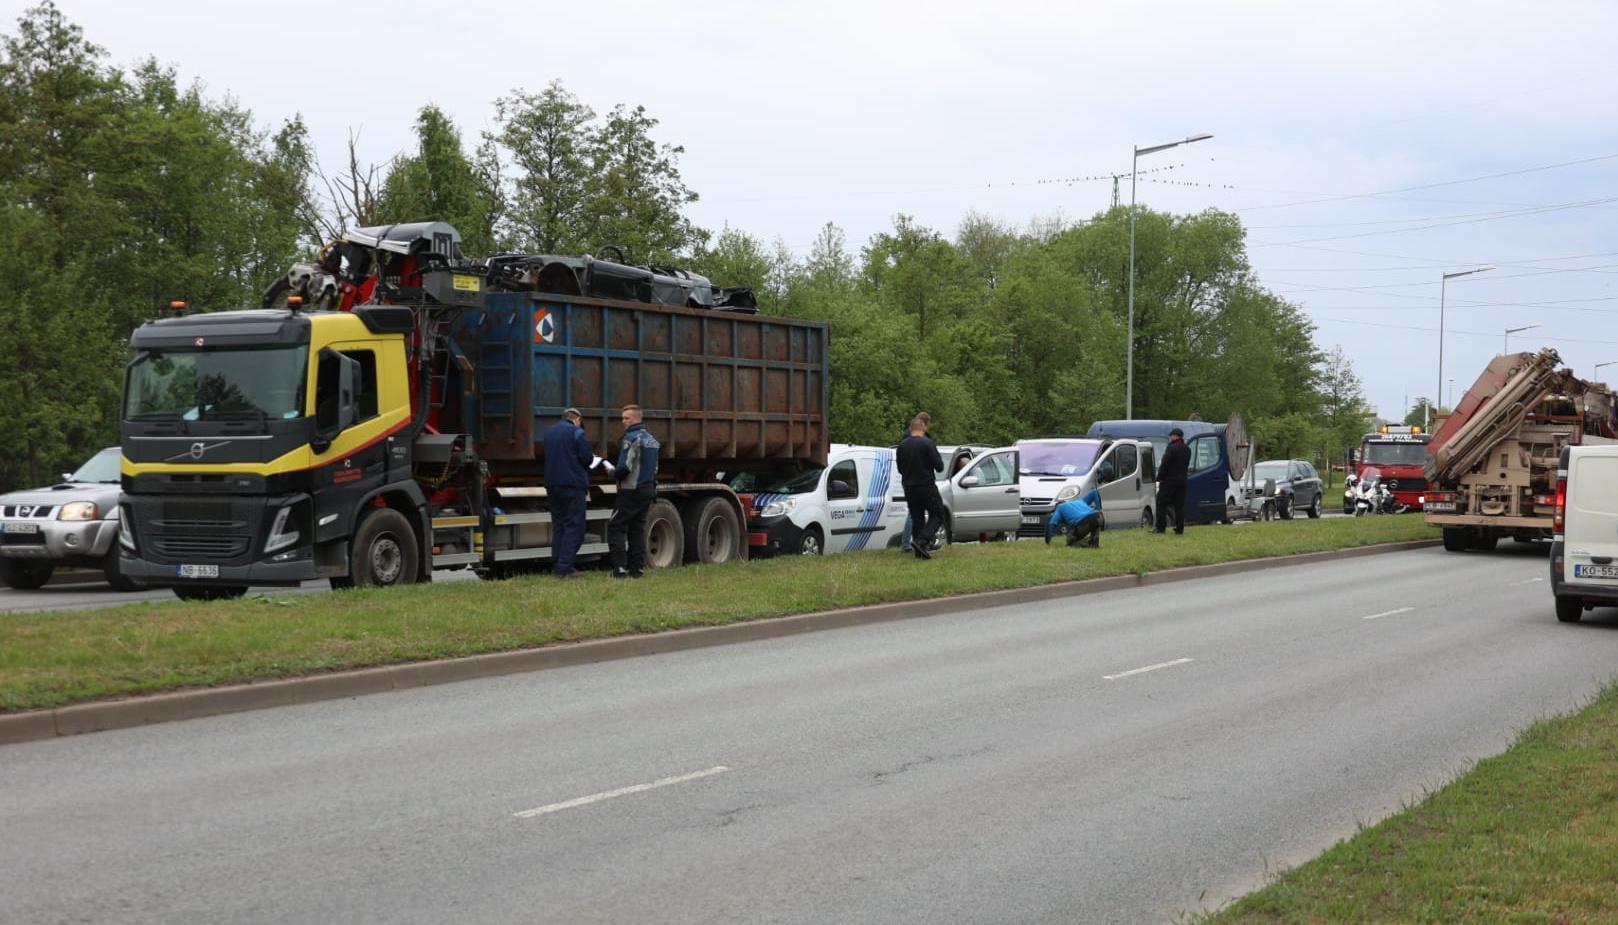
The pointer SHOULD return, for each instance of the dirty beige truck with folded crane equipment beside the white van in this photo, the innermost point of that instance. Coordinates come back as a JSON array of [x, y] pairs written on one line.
[[1493, 465]]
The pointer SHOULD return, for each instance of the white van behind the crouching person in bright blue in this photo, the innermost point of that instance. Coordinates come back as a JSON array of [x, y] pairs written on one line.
[[1057, 470]]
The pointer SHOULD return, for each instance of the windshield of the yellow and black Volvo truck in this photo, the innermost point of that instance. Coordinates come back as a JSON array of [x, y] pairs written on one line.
[[218, 384]]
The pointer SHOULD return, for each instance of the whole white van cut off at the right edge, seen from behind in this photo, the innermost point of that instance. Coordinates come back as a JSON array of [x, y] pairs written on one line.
[[1585, 547]]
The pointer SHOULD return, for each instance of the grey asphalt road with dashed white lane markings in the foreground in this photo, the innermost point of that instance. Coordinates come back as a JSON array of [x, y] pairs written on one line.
[[1116, 758]]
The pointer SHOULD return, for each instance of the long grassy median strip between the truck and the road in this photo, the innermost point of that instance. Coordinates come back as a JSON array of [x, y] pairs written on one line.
[[67, 657]]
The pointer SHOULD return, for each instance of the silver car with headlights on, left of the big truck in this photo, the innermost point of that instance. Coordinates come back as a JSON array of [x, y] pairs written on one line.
[[69, 525]]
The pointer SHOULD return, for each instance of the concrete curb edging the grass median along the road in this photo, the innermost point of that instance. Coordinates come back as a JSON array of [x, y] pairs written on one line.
[[260, 696]]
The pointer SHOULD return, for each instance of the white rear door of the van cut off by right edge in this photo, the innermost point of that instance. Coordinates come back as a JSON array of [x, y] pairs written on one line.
[[1591, 522]]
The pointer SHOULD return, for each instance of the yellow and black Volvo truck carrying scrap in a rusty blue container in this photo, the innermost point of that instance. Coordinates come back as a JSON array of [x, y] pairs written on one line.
[[400, 429]]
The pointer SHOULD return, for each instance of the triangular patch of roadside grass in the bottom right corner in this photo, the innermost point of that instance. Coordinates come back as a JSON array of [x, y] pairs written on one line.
[[1530, 837]]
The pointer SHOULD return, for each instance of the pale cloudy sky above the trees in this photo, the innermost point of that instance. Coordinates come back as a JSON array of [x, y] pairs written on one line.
[[1370, 148]]
